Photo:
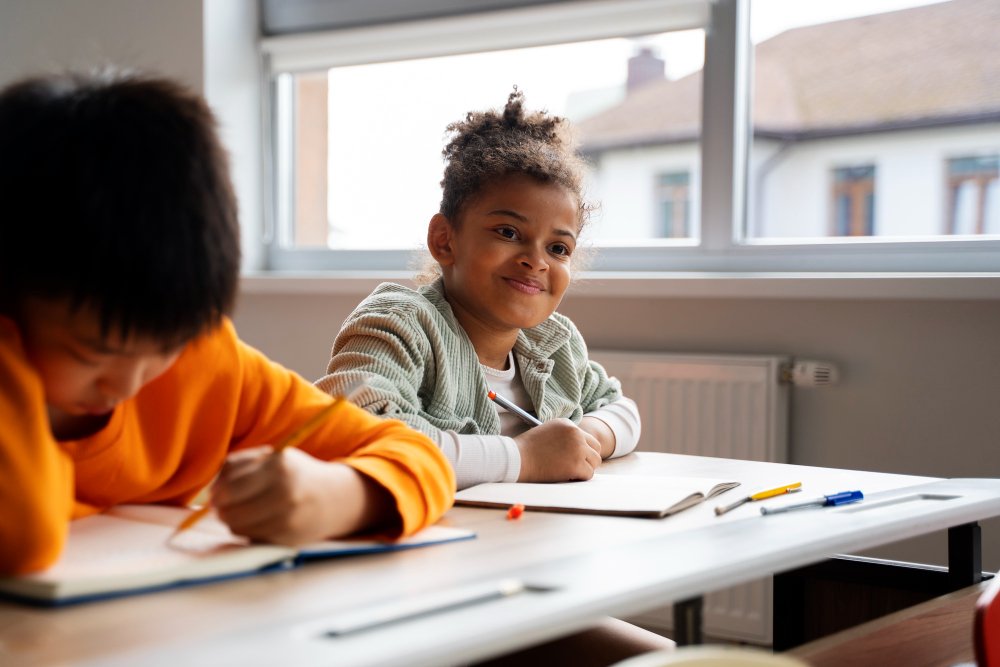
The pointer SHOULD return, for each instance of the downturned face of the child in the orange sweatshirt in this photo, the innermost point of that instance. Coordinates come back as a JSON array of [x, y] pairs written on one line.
[[85, 373]]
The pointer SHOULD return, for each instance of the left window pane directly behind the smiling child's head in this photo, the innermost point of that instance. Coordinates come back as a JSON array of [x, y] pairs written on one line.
[[372, 136]]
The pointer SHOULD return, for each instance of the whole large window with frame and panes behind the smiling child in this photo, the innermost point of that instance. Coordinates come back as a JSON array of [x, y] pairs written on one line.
[[758, 136]]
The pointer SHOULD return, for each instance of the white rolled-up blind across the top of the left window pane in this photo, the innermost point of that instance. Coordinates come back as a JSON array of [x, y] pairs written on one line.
[[416, 31]]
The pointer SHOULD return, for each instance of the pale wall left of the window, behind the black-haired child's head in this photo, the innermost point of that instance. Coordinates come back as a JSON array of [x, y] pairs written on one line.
[[210, 45]]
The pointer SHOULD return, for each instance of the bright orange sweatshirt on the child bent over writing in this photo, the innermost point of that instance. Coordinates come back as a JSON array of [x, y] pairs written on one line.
[[168, 442]]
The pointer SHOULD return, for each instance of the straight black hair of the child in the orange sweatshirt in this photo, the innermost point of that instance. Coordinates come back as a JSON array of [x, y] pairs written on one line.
[[115, 194]]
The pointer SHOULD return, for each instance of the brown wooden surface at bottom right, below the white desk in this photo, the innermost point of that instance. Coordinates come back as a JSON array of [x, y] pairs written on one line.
[[937, 633]]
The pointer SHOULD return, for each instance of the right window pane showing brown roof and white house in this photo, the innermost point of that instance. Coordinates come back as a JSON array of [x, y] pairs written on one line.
[[901, 87]]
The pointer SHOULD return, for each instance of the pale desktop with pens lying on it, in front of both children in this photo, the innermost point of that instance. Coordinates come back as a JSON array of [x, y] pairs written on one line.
[[578, 569]]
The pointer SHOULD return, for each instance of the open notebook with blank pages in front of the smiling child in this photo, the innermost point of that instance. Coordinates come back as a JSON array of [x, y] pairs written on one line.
[[623, 495]]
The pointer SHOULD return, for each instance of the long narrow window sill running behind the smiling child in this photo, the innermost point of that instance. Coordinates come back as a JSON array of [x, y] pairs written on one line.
[[925, 286]]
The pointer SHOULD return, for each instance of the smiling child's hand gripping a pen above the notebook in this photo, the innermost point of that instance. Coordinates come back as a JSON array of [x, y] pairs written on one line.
[[557, 451]]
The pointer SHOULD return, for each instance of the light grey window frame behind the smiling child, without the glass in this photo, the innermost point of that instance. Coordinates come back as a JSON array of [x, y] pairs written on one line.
[[726, 135]]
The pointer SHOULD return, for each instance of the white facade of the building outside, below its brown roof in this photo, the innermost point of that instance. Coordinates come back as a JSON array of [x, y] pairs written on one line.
[[790, 189]]
